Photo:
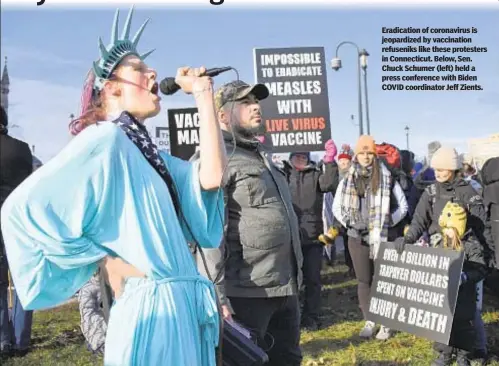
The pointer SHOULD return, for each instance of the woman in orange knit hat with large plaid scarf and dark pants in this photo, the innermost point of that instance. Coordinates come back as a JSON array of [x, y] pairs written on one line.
[[362, 205]]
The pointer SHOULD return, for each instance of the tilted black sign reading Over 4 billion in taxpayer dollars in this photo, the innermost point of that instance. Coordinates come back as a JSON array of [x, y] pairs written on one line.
[[416, 292]]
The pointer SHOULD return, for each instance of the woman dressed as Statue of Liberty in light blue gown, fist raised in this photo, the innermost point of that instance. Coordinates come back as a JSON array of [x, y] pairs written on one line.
[[111, 198]]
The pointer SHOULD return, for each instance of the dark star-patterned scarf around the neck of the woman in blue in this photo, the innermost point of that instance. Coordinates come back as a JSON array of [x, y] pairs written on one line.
[[138, 134]]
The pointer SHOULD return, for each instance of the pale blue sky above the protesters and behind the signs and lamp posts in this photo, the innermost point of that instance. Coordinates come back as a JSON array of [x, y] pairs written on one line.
[[50, 51]]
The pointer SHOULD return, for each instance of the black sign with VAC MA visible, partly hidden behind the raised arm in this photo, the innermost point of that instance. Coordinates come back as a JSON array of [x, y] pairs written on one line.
[[184, 132]]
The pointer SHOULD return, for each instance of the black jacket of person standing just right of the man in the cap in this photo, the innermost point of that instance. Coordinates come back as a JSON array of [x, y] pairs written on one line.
[[307, 188]]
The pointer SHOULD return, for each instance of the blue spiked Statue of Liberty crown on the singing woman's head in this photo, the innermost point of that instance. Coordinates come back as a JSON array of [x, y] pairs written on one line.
[[118, 49]]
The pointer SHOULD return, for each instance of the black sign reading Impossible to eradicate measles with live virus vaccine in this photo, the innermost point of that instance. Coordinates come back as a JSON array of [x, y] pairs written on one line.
[[296, 113]]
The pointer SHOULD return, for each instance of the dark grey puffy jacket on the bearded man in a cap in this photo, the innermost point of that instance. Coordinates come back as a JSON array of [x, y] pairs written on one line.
[[261, 252]]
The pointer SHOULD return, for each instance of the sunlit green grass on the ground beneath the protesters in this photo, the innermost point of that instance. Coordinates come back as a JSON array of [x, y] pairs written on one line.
[[57, 340]]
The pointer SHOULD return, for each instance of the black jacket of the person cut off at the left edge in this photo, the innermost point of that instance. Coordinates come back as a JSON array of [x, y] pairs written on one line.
[[16, 164]]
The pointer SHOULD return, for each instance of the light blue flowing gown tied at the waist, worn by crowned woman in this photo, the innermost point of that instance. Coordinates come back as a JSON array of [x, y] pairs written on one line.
[[100, 196]]
